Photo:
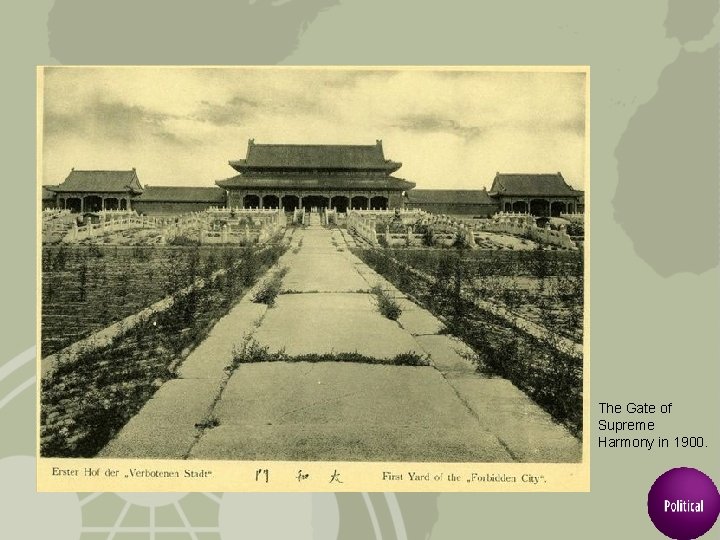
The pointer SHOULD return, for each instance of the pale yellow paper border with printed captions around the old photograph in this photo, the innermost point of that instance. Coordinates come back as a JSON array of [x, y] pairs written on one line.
[[240, 476]]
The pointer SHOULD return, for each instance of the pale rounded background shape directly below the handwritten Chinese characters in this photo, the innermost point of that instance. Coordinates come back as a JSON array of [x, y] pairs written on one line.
[[300, 516]]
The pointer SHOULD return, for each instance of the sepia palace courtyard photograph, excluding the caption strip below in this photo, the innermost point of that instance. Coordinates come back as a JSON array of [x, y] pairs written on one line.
[[313, 264]]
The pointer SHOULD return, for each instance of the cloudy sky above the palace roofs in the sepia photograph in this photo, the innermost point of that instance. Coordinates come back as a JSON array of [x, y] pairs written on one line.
[[180, 126]]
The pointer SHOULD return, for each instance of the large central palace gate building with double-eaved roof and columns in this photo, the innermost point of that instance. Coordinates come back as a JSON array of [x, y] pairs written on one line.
[[314, 177]]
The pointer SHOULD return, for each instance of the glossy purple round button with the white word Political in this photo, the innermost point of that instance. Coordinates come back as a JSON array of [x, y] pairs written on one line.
[[683, 503]]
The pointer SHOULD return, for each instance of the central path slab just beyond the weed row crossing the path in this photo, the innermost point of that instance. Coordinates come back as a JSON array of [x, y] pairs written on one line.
[[335, 322]]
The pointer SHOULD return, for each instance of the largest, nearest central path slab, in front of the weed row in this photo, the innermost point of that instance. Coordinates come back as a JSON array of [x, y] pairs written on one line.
[[343, 411]]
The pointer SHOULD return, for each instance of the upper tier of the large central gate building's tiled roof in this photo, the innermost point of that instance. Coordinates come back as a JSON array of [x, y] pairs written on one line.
[[315, 156]]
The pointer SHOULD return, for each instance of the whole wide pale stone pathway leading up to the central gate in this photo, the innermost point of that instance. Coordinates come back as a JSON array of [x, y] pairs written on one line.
[[331, 410]]
